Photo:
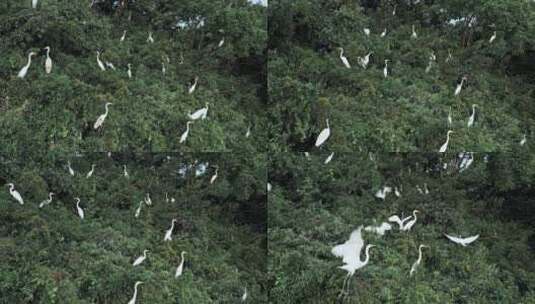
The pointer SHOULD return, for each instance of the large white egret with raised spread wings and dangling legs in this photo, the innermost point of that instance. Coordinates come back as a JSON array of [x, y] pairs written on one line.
[[350, 254]]
